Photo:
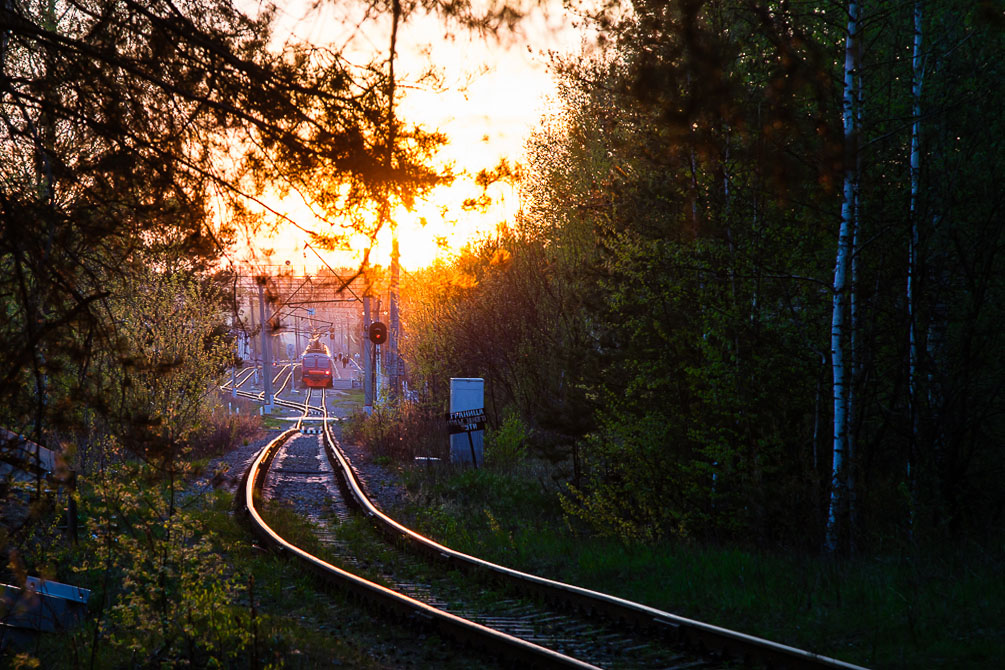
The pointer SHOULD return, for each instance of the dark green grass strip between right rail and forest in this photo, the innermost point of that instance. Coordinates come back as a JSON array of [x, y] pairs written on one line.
[[882, 612]]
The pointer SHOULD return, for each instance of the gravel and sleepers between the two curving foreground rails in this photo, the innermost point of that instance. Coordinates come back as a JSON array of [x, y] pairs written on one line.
[[298, 477]]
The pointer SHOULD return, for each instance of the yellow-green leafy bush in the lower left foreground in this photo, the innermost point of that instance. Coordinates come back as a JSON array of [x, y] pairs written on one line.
[[169, 596]]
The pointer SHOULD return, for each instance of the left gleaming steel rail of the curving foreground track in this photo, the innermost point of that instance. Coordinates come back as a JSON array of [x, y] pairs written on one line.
[[398, 604]]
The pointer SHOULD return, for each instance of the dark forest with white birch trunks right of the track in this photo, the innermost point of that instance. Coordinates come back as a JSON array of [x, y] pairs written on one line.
[[755, 288]]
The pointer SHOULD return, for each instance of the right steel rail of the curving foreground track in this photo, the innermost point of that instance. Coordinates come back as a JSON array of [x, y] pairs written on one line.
[[738, 645]]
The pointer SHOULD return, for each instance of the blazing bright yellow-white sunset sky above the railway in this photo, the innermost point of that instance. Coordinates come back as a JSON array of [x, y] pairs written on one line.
[[492, 95]]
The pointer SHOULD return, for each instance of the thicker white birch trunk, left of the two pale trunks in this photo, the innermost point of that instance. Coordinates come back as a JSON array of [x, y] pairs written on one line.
[[839, 489]]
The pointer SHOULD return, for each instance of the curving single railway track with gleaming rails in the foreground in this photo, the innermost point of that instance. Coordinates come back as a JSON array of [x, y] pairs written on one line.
[[548, 624]]
